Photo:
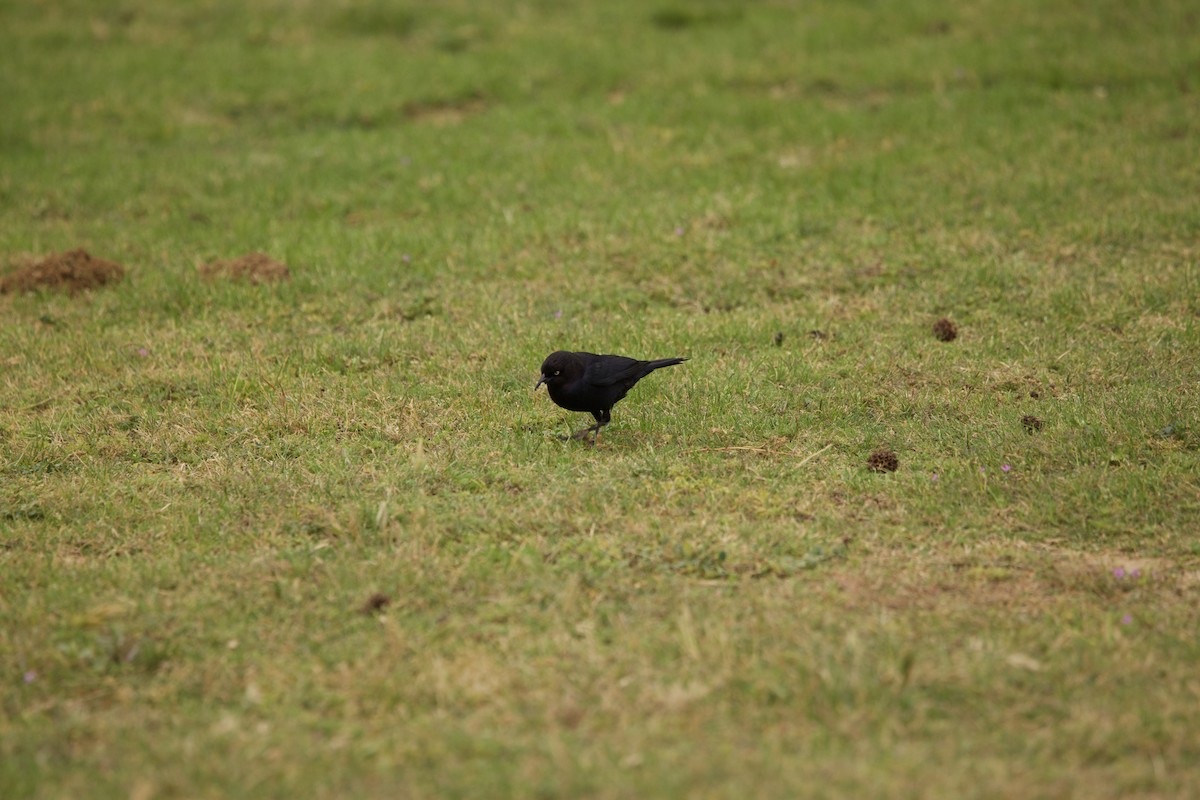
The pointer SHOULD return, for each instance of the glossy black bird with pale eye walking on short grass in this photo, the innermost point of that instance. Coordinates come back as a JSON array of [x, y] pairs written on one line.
[[586, 382]]
